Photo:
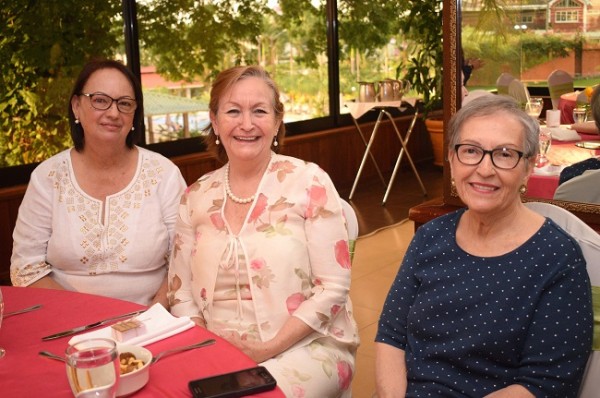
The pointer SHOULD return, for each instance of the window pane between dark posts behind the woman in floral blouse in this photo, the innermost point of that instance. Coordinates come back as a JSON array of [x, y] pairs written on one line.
[[184, 46]]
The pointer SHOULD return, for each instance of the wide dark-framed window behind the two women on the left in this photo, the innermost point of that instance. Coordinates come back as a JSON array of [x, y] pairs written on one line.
[[177, 48]]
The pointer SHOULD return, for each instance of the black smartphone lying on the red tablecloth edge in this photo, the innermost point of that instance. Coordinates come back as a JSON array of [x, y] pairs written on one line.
[[234, 384]]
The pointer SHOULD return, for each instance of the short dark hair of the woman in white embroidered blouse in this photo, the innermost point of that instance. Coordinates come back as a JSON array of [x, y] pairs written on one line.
[[77, 133]]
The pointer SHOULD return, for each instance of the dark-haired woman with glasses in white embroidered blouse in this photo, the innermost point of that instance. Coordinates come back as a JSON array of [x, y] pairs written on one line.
[[99, 218]]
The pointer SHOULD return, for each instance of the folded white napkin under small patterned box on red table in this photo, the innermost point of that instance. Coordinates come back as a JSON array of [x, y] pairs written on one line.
[[159, 324]]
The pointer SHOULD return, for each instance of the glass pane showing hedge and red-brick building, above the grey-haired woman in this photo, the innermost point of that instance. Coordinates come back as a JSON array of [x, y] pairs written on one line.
[[529, 39]]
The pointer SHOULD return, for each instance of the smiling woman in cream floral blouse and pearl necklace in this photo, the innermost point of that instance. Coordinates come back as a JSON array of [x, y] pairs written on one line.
[[261, 248]]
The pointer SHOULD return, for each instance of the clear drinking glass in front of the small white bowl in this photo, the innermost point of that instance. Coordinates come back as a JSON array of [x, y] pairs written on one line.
[[93, 368]]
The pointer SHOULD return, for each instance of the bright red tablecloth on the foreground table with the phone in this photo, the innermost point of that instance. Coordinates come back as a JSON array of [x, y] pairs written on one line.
[[23, 373]]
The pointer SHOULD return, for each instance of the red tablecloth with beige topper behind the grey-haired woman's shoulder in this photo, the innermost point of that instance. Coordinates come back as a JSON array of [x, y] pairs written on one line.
[[561, 153]]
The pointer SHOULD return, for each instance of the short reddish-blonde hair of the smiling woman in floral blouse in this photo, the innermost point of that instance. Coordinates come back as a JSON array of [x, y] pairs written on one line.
[[222, 84]]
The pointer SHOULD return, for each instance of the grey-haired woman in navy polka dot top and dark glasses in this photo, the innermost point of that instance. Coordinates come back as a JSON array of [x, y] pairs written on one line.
[[492, 300]]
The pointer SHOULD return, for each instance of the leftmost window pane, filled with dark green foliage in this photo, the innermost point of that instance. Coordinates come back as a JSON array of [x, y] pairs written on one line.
[[43, 46]]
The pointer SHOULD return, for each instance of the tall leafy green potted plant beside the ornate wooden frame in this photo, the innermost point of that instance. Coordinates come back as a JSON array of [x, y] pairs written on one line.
[[422, 29]]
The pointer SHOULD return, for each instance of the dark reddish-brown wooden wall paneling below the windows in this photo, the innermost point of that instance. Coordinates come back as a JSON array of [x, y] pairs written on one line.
[[338, 151]]
